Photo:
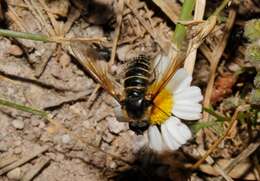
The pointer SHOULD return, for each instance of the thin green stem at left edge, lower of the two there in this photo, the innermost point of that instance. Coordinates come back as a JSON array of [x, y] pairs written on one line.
[[23, 108]]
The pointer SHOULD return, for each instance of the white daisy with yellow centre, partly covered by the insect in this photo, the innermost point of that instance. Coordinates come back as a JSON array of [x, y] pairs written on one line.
[[180, 99]]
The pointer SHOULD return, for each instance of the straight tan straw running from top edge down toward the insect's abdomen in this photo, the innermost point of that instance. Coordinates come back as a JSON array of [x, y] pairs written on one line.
[[117, 31]]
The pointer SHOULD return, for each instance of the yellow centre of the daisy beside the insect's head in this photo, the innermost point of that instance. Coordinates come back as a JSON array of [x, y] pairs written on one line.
[[162, 107]]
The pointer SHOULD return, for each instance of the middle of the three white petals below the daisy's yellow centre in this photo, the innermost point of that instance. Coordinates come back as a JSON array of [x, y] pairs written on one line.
[[169, 140]]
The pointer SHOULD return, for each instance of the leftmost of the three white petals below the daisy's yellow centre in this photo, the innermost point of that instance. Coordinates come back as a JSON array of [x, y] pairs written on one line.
[[155, 139]]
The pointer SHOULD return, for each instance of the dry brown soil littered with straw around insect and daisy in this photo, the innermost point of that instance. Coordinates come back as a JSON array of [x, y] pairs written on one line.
[[86, 142]]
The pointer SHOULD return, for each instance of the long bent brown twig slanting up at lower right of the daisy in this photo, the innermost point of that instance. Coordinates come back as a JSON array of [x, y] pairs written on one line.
[[214, 146]]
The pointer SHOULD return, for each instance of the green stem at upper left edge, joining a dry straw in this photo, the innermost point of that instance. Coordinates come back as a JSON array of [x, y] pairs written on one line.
[[29, 36]]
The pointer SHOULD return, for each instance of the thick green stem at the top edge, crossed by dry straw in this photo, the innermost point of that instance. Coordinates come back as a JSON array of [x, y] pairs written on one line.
[[186, 14]]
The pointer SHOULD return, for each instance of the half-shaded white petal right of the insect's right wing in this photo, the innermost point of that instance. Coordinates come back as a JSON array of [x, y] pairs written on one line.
[[180, 81]]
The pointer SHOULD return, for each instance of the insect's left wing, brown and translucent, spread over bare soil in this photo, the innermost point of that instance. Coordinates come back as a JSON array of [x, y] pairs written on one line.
[[98, 69]]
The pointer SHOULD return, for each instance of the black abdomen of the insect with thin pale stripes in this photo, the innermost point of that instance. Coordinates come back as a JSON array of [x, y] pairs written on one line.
[[137, 76]]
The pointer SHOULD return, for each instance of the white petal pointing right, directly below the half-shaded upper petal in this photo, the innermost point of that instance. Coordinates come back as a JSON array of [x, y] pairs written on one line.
[[192, 94]]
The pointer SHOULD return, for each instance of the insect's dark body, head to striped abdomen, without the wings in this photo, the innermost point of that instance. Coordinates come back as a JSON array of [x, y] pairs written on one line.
[[136, 82]]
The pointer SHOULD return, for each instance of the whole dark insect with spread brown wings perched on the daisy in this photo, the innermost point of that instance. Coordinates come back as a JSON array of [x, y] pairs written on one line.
[[141, 87]]
